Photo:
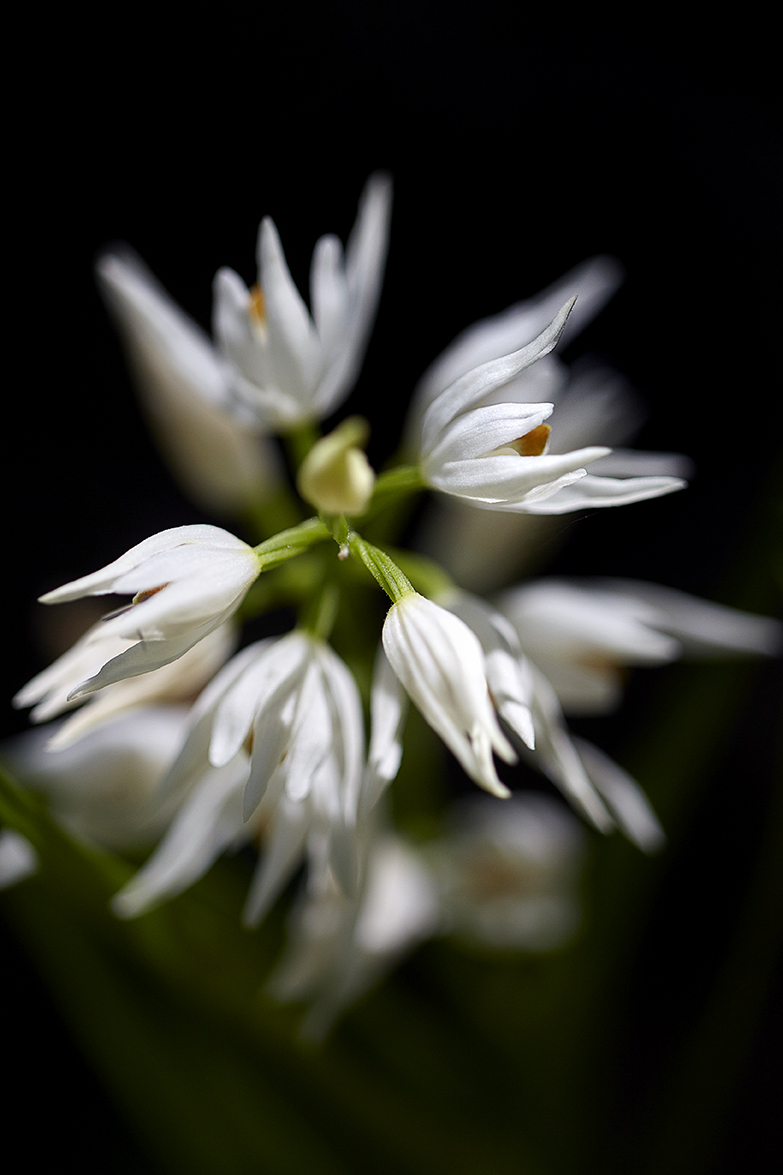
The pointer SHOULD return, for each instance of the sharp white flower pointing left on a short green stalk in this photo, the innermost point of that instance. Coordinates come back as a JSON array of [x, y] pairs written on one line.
[[186, 582]]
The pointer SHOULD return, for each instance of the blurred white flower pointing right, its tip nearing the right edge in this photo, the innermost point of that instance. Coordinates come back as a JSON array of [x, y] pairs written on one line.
[[583, 634]]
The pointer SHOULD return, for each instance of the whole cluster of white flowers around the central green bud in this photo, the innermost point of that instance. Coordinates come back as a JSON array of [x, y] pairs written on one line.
[[191, 749]]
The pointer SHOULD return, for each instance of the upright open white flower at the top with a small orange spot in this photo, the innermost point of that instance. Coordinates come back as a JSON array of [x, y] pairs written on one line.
[[291, 368]]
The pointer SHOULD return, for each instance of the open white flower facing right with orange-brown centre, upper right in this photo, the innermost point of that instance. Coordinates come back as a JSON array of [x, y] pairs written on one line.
[[496, 456]]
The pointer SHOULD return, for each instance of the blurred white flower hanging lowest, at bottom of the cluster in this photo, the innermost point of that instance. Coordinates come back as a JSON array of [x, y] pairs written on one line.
[[339, 946]]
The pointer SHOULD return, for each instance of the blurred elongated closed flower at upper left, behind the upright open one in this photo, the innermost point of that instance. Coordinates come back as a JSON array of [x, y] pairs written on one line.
[[186, 387]]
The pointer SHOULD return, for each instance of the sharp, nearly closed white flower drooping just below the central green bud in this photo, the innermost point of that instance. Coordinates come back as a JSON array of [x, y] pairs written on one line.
[[441, 664]]
